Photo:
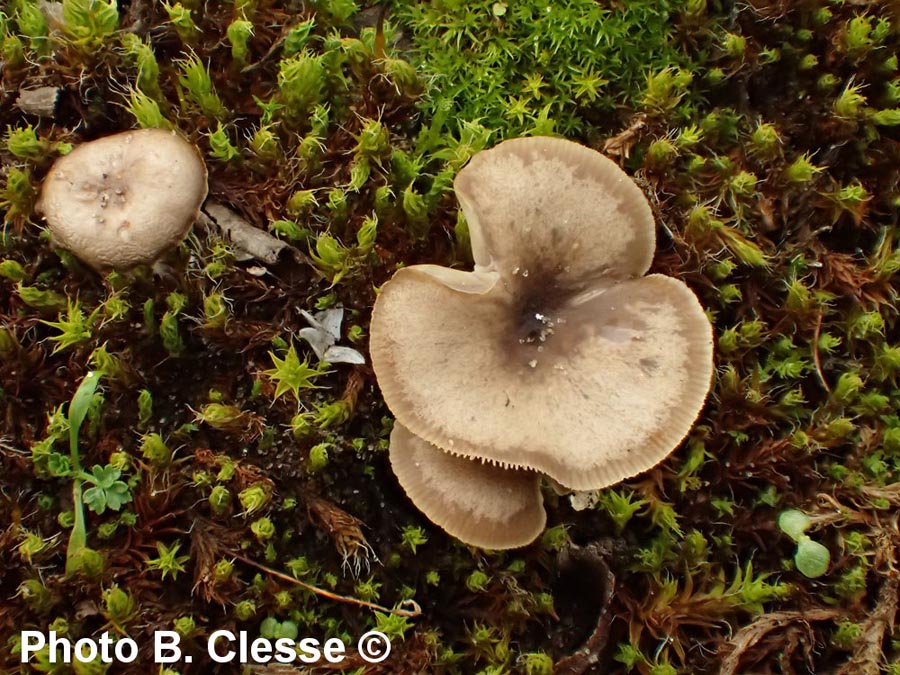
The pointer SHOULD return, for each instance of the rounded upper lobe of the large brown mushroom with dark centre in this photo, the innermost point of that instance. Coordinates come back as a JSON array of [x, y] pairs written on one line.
[[534, 202]]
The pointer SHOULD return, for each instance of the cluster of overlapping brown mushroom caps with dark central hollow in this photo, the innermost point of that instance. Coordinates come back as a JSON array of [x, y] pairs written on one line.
[[554, 356]]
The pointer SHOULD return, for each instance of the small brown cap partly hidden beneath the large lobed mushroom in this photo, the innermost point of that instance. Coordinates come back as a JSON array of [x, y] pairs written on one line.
[[481, 505]]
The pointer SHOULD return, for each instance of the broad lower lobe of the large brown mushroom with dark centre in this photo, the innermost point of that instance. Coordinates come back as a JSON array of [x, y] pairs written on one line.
[[604, 385]]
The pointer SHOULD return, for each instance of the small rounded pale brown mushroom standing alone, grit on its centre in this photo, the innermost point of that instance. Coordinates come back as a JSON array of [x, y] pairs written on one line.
[[125, 199]]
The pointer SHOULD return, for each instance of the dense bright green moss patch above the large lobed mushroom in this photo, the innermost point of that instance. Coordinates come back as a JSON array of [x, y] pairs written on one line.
[[506, 64]]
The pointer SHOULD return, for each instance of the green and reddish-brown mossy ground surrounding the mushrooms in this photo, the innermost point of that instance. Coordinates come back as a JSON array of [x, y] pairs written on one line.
[[765, 135]]
